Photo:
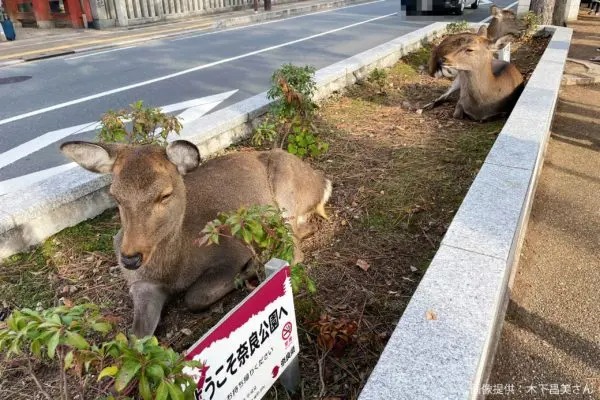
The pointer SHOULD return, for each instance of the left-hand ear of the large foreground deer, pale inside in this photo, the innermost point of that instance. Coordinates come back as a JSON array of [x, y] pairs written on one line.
[[94, 157]]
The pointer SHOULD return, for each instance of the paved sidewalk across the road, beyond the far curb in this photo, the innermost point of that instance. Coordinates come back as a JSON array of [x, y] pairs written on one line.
[[33, 44]]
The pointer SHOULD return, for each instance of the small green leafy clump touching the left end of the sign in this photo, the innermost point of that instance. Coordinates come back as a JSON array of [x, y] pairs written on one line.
[[155, 370]]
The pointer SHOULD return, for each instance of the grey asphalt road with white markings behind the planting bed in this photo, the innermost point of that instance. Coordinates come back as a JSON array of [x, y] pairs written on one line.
[[231, 65]]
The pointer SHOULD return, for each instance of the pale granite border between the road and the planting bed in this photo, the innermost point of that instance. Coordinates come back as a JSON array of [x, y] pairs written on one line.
[[76, 195]]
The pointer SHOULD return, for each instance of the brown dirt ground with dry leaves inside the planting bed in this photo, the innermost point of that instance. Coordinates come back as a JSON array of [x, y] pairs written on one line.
[[399, 177]]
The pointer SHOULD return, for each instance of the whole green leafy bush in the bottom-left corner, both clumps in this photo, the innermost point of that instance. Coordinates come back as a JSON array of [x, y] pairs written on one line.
[[69, 334]]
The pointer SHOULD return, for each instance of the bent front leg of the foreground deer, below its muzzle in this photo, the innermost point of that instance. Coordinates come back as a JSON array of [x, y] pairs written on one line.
[[148, 301]]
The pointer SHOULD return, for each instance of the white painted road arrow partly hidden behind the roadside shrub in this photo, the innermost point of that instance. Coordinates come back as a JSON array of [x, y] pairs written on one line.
[[199, 107]]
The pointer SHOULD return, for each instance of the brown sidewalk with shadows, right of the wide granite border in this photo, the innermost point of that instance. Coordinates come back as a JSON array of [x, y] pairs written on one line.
[[550, 343]]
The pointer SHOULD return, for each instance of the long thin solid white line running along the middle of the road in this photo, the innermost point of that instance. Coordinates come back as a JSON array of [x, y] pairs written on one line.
[[184, 72]]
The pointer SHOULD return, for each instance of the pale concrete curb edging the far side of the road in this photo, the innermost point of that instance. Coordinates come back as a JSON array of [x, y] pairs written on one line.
[[217, 23]]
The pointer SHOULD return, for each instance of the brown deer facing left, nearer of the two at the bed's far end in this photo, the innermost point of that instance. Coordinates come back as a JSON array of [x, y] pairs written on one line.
[[488, 88]]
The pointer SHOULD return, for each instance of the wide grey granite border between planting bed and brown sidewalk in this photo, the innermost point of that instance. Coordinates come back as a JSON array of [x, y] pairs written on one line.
[[465, 289]]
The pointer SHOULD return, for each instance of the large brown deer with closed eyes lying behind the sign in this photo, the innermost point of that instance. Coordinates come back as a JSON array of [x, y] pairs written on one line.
[[165, 199]]
